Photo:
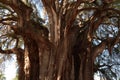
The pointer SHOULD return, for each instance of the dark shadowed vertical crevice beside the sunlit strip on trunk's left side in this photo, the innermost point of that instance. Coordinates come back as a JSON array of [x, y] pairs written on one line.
[[33, 53]]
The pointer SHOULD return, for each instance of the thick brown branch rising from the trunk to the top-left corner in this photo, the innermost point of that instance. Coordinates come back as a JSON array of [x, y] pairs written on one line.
[[22, 10]]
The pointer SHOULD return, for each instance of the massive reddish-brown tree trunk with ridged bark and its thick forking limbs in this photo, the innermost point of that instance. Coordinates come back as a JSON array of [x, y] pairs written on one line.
[[69, 55]]
